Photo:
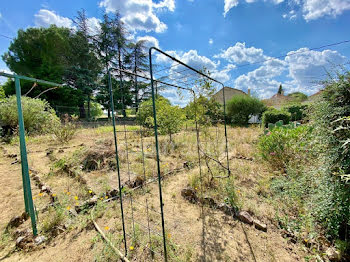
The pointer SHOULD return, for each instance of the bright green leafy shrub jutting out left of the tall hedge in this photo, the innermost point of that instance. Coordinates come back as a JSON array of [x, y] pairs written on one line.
[[282, 145]]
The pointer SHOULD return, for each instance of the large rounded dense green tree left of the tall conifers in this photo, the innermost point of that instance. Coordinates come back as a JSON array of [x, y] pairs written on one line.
[[43, 53]]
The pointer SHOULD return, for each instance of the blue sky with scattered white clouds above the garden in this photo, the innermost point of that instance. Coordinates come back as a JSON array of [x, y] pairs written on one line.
[[222, 35]]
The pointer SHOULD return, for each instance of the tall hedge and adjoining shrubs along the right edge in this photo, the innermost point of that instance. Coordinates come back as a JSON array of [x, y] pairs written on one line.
[[314, 193]]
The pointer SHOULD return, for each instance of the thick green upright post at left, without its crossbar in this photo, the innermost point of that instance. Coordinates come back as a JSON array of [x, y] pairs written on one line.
[[24, 160]]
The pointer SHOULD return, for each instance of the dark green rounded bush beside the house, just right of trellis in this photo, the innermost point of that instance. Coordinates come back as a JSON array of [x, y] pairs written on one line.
[[241, 107]]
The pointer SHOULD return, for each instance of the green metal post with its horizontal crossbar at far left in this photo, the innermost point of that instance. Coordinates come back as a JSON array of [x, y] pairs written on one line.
[[27, 191]]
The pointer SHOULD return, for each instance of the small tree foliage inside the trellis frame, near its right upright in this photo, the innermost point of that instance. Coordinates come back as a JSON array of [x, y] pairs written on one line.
[[205, 110]]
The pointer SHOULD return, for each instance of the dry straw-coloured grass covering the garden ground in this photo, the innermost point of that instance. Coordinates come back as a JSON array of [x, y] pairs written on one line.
[[225, 238]]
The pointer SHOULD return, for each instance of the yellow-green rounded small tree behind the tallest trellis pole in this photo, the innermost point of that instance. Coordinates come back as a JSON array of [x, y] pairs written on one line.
[[170, 119]]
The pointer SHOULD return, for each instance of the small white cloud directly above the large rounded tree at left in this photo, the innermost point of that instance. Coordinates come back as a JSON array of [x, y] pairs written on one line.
[[45, 18]]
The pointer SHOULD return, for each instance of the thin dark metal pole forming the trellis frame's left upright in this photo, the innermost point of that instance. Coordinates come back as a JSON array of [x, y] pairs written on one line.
[[117, 157]]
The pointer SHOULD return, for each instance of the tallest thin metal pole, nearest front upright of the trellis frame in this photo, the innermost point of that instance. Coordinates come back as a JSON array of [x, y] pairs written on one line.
[[157, 152]]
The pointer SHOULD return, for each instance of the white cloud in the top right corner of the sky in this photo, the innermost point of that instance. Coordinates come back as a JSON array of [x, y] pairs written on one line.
[[314, 9]]
